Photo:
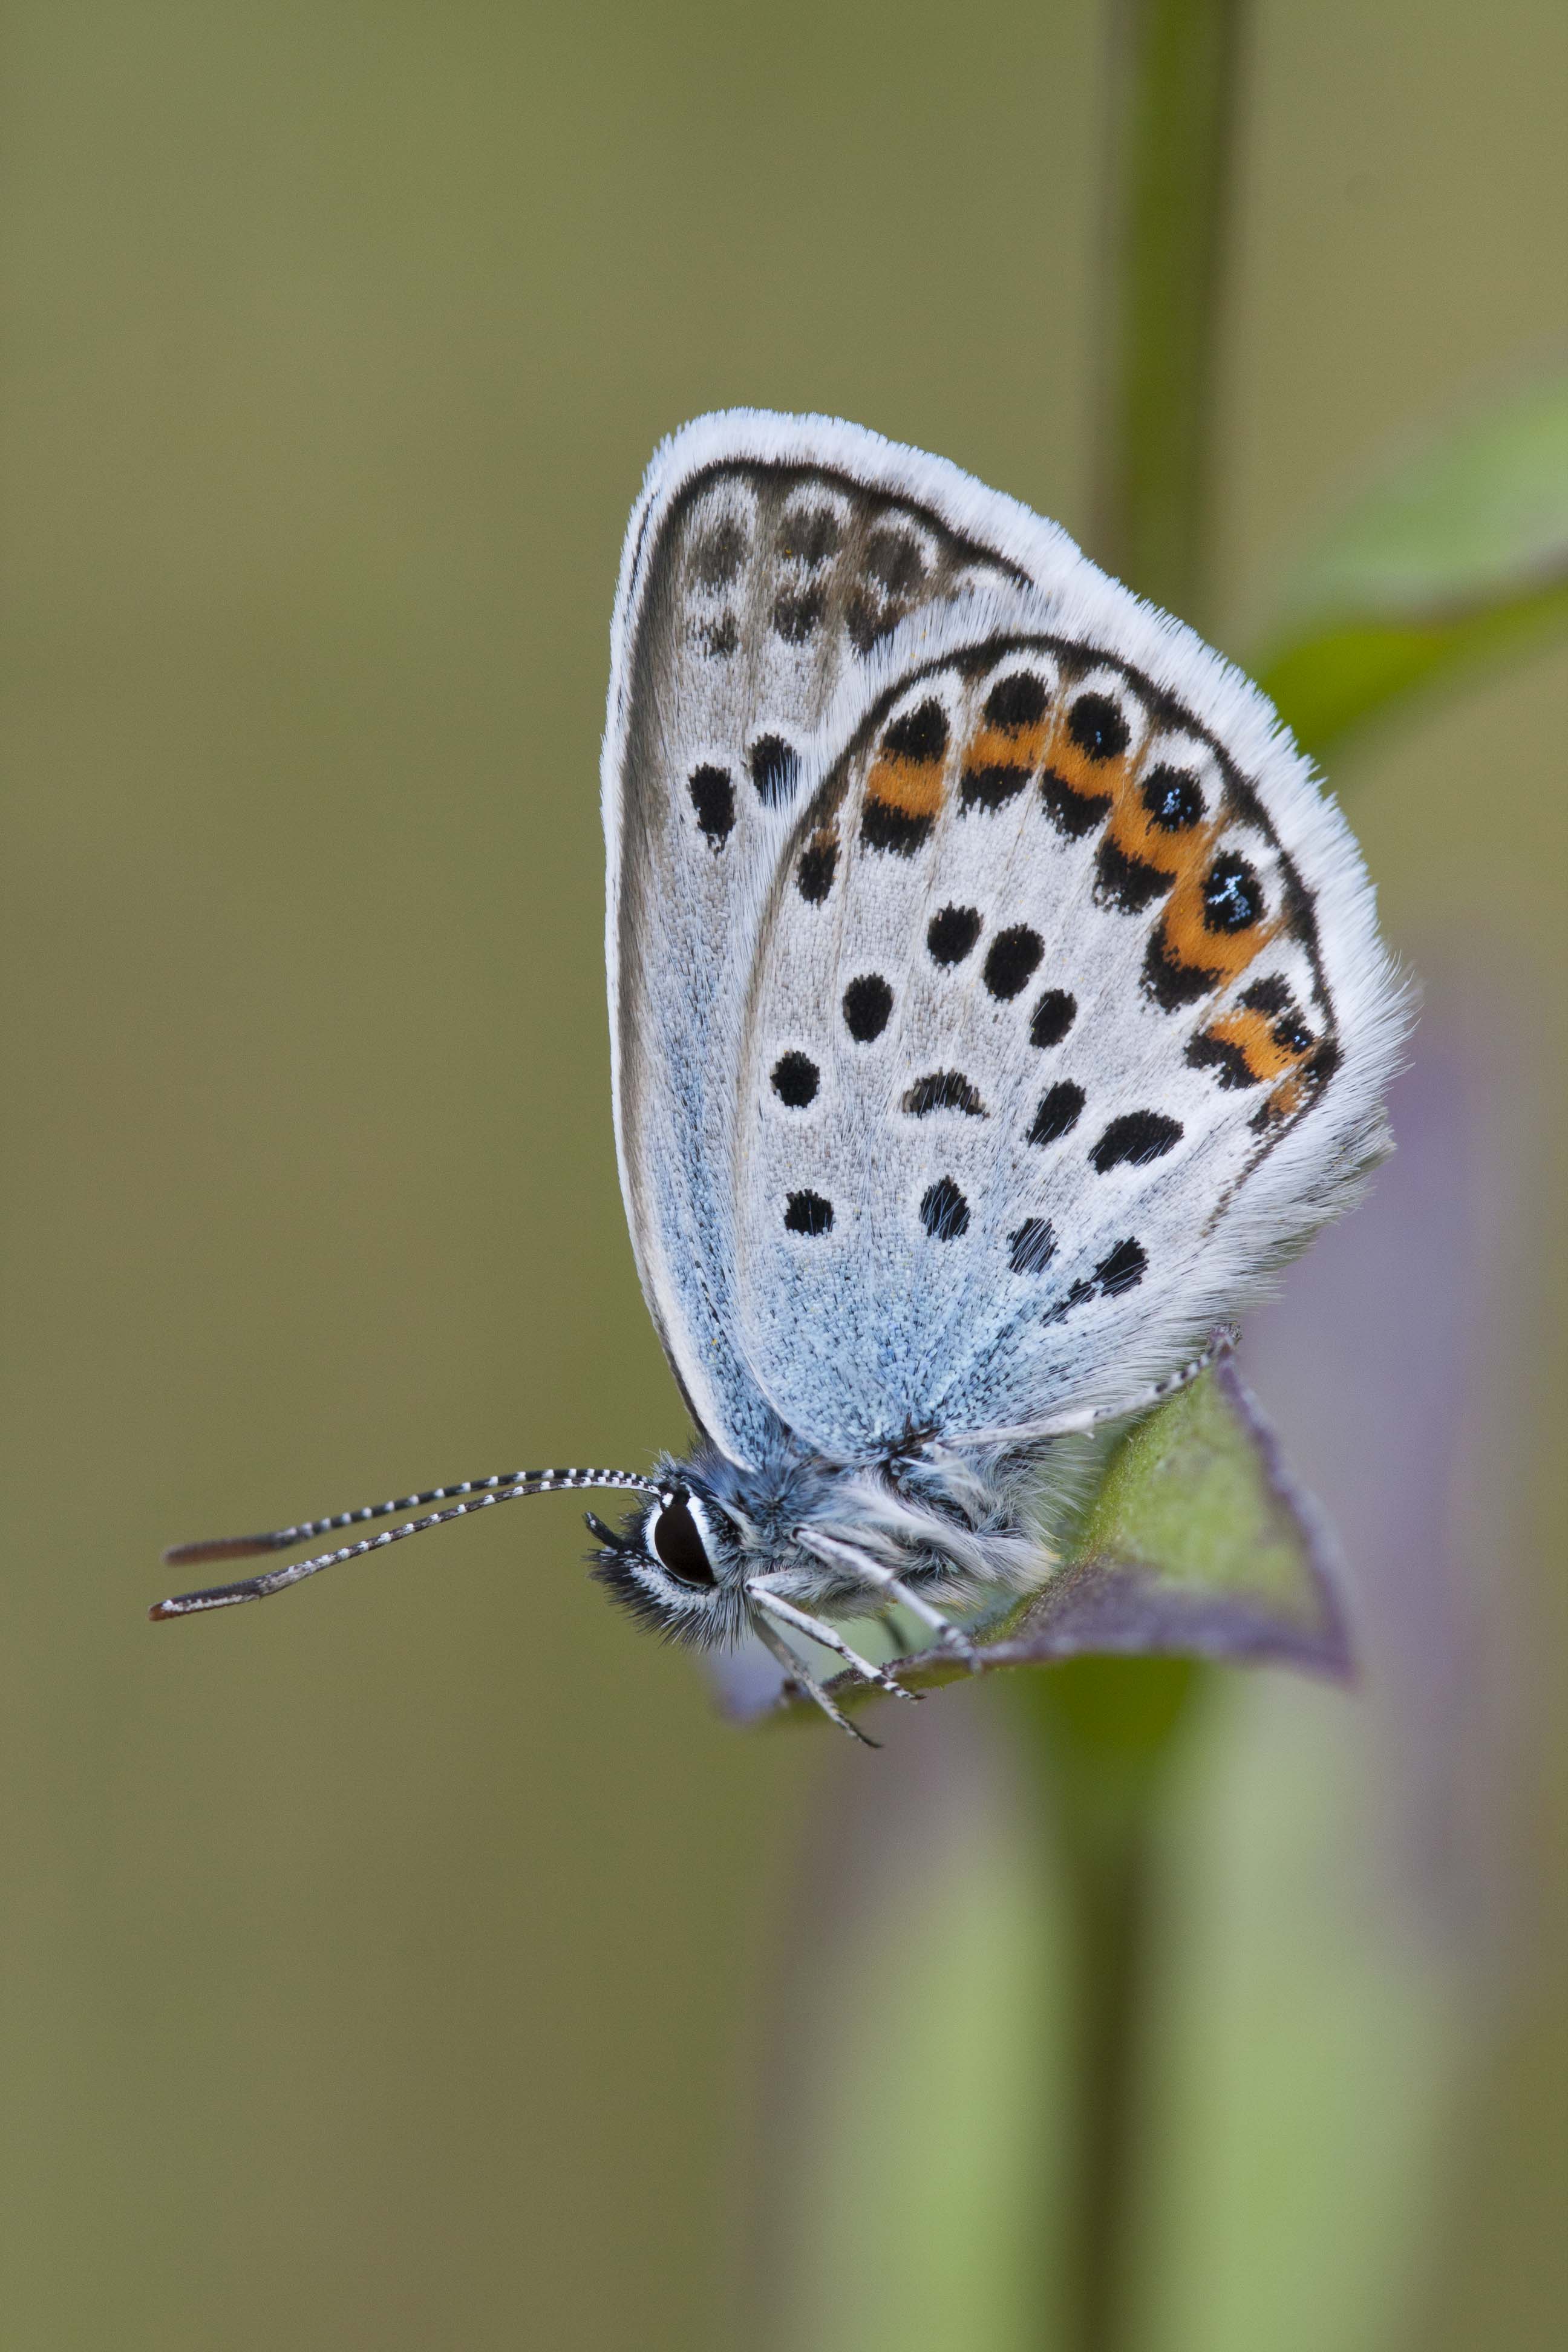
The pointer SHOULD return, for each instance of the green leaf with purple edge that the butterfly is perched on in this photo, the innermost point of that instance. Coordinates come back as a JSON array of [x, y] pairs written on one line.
[[1198, 1544]]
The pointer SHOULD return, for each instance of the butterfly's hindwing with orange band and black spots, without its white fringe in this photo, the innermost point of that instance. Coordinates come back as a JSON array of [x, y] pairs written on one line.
[[1012, 1076]]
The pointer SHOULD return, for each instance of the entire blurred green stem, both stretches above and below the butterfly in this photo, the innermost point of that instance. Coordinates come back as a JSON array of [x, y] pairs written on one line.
[[1104, 1728]]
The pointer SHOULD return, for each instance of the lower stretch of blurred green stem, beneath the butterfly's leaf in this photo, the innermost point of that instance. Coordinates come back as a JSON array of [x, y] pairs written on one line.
[[1104, 1732]]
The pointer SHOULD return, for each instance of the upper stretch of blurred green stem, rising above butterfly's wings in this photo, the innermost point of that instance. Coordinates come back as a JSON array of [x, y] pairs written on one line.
[[1172, 138]]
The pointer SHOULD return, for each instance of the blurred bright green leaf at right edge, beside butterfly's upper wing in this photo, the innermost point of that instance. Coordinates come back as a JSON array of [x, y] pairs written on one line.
[[1456, 561]]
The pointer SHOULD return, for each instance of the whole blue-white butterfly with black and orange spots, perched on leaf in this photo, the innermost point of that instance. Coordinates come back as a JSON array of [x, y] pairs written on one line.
[[996, 1003]]
